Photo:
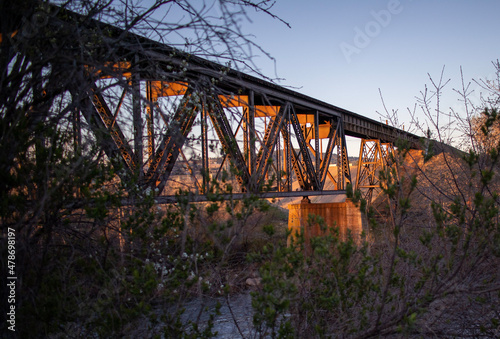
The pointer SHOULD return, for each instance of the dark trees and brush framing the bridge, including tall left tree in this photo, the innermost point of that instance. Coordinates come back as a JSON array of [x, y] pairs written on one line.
[[88, 265]]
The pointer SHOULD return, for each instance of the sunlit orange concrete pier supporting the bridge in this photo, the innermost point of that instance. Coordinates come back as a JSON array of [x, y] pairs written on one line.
[[344, 215]]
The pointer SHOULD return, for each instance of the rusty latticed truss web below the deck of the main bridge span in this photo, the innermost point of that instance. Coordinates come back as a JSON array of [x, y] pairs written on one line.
[[274, 144]]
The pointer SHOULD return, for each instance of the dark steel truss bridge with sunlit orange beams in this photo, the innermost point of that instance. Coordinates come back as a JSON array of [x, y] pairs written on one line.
[[180, 106]]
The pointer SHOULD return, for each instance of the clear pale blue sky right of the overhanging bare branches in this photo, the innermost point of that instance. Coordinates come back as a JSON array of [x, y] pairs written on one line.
[[343, 52]]
